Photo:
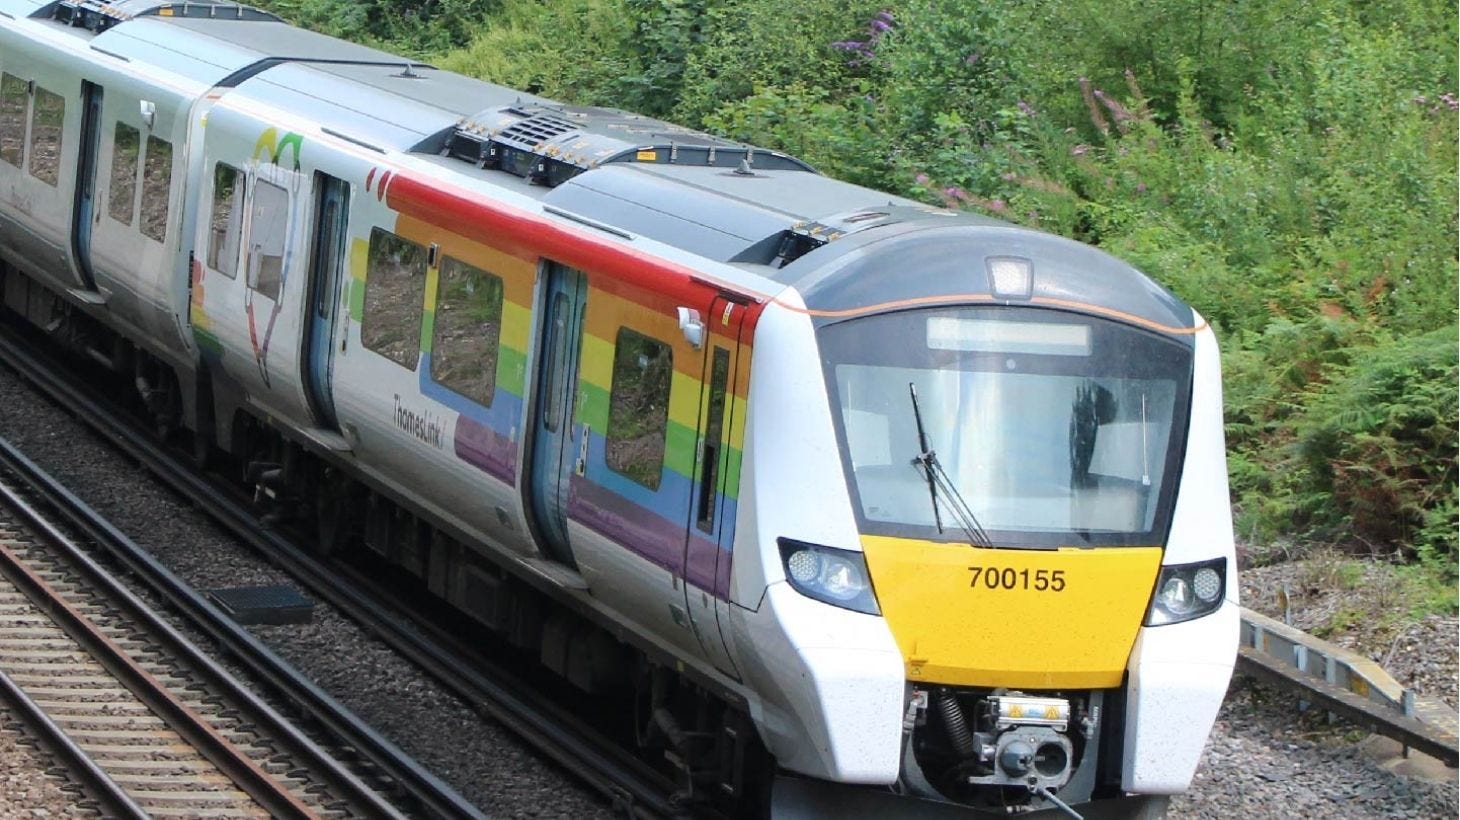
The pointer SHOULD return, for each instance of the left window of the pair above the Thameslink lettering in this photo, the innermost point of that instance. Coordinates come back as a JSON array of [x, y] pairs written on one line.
[[395, 294]]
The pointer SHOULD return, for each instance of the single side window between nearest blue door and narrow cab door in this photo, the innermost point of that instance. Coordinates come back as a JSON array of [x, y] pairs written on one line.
[[639, 408]]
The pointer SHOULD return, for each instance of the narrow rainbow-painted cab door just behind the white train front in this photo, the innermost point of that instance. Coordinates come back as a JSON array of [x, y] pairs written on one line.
[[710, 526]]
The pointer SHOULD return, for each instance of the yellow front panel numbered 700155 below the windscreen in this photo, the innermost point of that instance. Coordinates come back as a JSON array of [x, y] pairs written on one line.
[[1029, 619]]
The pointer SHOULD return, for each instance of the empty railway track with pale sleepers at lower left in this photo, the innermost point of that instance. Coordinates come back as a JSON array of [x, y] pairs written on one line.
[[139, 716]]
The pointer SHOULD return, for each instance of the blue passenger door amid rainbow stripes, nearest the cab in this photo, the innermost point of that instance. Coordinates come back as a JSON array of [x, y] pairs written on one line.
[[556, 447]]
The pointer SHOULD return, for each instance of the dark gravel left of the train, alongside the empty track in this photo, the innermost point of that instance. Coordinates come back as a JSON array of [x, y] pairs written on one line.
[[475, 755]]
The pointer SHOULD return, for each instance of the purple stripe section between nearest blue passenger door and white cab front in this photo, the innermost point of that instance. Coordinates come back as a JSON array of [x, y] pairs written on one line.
[[649, 536]]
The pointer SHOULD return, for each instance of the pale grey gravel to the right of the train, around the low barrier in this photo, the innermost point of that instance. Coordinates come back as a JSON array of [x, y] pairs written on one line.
[[1265, 759]]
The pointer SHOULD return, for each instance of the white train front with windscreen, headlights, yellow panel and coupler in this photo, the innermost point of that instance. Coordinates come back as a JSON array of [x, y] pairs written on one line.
[[1042, 511]]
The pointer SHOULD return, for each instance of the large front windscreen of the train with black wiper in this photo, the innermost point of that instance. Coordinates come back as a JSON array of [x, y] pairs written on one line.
[[1010, 427]]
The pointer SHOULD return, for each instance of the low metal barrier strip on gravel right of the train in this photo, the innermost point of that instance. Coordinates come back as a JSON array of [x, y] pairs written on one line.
[[1348, 685]]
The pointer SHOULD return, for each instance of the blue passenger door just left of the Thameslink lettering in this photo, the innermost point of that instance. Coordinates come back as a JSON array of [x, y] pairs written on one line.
[[332, 205]]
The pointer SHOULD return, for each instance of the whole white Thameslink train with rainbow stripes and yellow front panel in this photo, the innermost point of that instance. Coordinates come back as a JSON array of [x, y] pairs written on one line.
[[869, 507]]
